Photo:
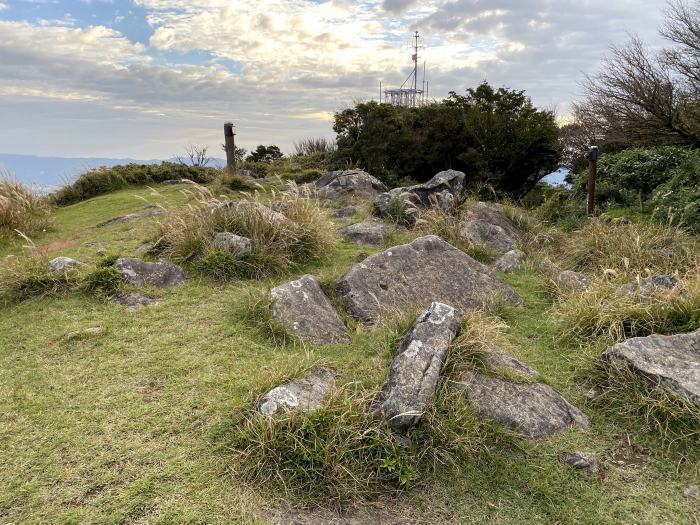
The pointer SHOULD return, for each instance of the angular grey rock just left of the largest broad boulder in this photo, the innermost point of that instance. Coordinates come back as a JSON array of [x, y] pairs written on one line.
[[303, 309]]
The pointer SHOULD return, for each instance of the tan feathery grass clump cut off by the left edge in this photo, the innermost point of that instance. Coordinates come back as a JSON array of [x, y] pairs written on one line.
[[21, 210]]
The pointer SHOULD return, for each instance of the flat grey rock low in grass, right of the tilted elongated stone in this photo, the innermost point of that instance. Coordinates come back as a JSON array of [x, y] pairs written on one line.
[[535, 410]]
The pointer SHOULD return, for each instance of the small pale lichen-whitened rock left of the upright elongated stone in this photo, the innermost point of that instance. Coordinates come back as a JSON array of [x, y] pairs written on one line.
[[300, 394]]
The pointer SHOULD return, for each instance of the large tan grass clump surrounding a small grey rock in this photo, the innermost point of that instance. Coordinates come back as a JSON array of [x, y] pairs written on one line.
[[299, 233]]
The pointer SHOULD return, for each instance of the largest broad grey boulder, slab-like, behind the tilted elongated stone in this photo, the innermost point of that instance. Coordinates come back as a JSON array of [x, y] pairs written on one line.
[[416, 274]]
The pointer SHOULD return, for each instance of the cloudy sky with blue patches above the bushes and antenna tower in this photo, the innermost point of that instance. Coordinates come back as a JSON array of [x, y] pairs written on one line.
[[145, 78]]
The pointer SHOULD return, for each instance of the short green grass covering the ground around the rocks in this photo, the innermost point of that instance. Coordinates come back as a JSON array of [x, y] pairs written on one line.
[[133, 425]]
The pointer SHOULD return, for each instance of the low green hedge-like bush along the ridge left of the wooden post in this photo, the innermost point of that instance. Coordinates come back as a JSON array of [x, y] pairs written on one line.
[[104, 180]]
